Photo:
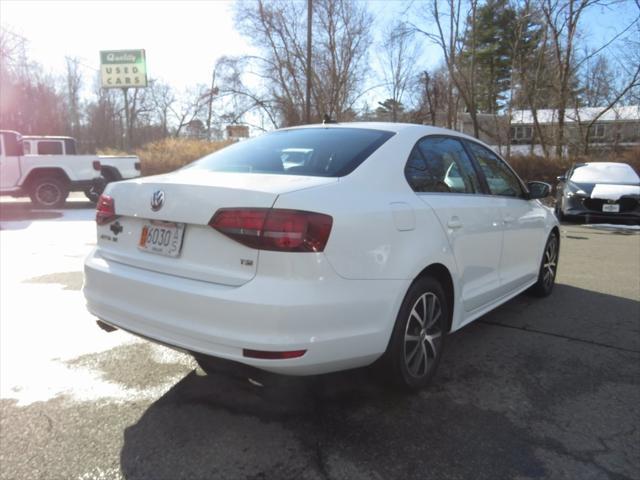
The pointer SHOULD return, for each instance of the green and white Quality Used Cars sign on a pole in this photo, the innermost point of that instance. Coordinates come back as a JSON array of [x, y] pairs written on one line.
[[123, 69]]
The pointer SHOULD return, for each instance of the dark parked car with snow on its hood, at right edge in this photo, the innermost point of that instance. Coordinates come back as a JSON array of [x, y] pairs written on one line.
[[599, 191]]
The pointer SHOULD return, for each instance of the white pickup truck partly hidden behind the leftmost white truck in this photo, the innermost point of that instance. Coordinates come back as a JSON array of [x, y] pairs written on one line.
[[113, 168]]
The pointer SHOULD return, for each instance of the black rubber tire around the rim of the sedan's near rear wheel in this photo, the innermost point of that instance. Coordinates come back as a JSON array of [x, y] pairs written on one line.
[[395, 353]]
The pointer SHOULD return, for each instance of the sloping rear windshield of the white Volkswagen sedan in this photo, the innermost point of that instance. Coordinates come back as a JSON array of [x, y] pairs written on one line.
[[323, 152]]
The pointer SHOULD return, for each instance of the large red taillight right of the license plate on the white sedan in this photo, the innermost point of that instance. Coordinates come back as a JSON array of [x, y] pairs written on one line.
[[274, 229]]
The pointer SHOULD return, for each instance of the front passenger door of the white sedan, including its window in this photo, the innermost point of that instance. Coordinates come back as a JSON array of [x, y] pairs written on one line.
[[523, 220]]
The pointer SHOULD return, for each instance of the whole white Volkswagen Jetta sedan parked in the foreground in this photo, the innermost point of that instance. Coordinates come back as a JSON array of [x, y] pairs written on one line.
[[381, 240]]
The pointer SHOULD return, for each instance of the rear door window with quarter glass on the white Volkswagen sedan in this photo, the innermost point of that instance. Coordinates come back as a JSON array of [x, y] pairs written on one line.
[[440, 164]]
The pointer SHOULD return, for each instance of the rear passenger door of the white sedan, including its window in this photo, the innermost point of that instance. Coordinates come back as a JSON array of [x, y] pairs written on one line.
[[442, 174]]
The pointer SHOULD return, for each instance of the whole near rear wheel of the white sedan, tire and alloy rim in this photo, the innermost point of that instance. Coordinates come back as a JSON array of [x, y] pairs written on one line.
[[417, 341]]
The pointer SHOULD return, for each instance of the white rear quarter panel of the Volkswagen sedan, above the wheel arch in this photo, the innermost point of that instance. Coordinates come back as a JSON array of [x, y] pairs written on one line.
[[367, 242]]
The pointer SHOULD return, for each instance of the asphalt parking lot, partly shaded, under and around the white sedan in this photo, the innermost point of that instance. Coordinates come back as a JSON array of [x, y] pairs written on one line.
[[536, 389]]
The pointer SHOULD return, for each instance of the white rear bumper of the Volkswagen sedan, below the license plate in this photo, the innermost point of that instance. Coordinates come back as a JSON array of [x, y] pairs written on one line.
[[340, 323]]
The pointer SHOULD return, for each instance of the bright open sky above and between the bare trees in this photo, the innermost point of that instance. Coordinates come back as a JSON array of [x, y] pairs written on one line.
[[183, 39]]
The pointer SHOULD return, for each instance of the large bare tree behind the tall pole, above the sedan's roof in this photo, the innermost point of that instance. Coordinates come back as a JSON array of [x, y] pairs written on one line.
[[340, 45]]
